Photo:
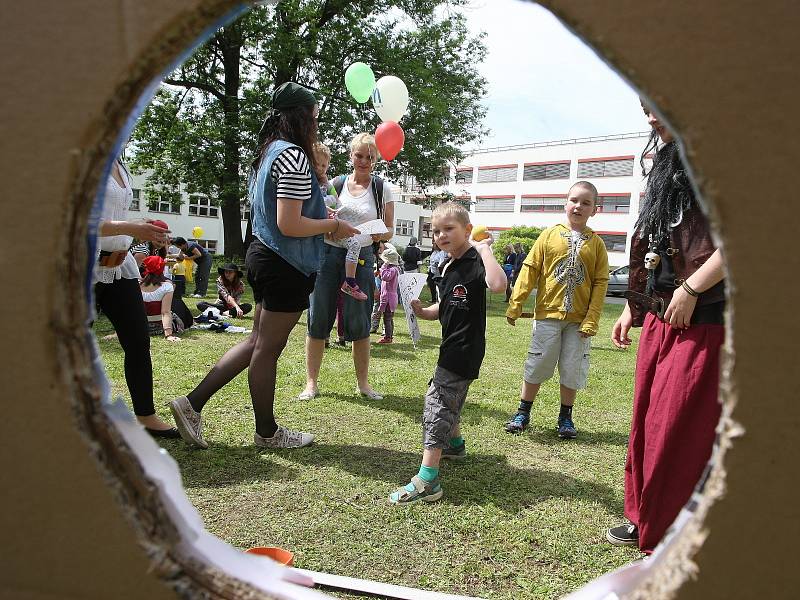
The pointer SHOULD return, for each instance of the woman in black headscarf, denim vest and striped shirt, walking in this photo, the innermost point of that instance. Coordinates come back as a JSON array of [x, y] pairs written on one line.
[[289, 221]]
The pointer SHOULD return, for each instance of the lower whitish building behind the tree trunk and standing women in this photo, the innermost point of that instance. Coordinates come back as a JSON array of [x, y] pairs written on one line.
[[196, 210]]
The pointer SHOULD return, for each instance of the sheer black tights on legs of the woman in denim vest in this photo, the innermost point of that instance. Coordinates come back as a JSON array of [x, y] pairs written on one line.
[[259, 354]]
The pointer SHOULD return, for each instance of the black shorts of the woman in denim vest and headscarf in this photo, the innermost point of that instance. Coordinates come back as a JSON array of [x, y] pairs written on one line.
[[277, 285]]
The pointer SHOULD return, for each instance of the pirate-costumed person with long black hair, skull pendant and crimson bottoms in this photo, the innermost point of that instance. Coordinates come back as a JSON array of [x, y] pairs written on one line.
[[676, 294]]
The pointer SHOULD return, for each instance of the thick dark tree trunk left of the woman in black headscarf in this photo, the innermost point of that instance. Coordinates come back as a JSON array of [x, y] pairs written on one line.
[[230, 197]]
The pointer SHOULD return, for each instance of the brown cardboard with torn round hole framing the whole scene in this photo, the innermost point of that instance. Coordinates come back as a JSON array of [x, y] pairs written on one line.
[[72, 80]]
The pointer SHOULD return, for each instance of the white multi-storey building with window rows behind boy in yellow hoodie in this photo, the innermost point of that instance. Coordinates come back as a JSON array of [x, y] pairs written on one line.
[[527, 184]]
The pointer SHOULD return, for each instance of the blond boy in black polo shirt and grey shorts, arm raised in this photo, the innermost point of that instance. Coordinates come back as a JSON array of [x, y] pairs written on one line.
[[462, 311]]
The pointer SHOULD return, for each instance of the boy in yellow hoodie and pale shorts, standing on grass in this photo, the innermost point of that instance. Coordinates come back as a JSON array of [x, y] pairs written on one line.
[[568, 266]]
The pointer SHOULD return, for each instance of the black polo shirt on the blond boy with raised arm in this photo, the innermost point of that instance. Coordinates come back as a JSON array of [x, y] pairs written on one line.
[[462, 312]]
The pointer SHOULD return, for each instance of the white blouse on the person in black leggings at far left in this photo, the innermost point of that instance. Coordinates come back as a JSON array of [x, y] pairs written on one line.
[[115, 208]]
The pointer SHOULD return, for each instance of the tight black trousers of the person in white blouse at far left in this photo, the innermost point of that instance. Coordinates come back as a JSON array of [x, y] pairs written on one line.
[[122, 303]]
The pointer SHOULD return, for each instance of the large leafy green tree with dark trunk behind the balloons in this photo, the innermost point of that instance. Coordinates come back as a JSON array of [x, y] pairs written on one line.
[[201, 127]]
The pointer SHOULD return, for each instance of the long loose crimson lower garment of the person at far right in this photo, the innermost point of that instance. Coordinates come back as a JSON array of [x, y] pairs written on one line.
[[675, 415]]
